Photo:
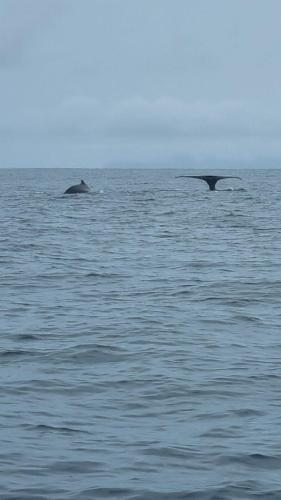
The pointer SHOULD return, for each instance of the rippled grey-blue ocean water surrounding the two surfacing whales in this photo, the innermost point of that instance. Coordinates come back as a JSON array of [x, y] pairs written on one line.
[[140, 336]]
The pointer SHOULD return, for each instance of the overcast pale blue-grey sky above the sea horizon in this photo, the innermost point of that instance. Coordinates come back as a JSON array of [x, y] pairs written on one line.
[[140, 83]]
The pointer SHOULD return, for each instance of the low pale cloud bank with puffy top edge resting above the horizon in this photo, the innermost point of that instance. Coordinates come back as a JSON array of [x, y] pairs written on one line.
[[164, 131]]
